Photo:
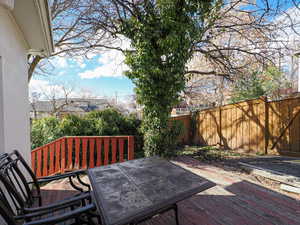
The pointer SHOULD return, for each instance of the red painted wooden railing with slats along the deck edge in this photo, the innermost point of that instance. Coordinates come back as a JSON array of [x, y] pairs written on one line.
[[80, 152]]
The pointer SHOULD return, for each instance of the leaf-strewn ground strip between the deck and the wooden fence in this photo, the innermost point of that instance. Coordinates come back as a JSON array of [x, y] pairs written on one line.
[[230, 161]]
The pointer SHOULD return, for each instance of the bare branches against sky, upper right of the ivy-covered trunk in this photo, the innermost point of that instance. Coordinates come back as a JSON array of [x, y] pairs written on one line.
[[245, 35]]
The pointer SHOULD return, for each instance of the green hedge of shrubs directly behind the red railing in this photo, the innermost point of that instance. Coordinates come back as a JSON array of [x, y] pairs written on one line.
[[96, 123]]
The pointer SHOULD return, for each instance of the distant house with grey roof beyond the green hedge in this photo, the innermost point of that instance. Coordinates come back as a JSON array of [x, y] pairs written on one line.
[[61, 107]]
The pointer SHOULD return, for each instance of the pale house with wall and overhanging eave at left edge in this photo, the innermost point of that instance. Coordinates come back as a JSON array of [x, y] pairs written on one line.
[[25, 29]]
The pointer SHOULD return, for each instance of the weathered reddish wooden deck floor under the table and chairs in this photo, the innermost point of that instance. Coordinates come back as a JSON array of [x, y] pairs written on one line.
[[234, 201]]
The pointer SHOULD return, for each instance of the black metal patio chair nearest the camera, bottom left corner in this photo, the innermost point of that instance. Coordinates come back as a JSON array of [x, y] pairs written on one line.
[[70, 212]]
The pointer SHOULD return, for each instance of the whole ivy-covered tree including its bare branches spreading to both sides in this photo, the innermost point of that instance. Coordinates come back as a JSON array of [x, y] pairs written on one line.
[[165, 34]]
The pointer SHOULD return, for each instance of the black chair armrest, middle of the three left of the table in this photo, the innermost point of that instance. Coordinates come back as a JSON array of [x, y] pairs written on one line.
[[58, 205]]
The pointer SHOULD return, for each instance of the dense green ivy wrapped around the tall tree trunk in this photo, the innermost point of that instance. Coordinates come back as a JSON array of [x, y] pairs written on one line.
[[162, 37]]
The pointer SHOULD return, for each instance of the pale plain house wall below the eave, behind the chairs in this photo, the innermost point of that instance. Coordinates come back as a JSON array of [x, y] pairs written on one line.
[[14, 105]]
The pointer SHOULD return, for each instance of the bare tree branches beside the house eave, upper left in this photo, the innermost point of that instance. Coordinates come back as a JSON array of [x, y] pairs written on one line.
[[72, 35]]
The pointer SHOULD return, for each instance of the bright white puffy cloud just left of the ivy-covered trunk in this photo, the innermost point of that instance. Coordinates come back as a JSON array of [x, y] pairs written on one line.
[[112, 63]]
